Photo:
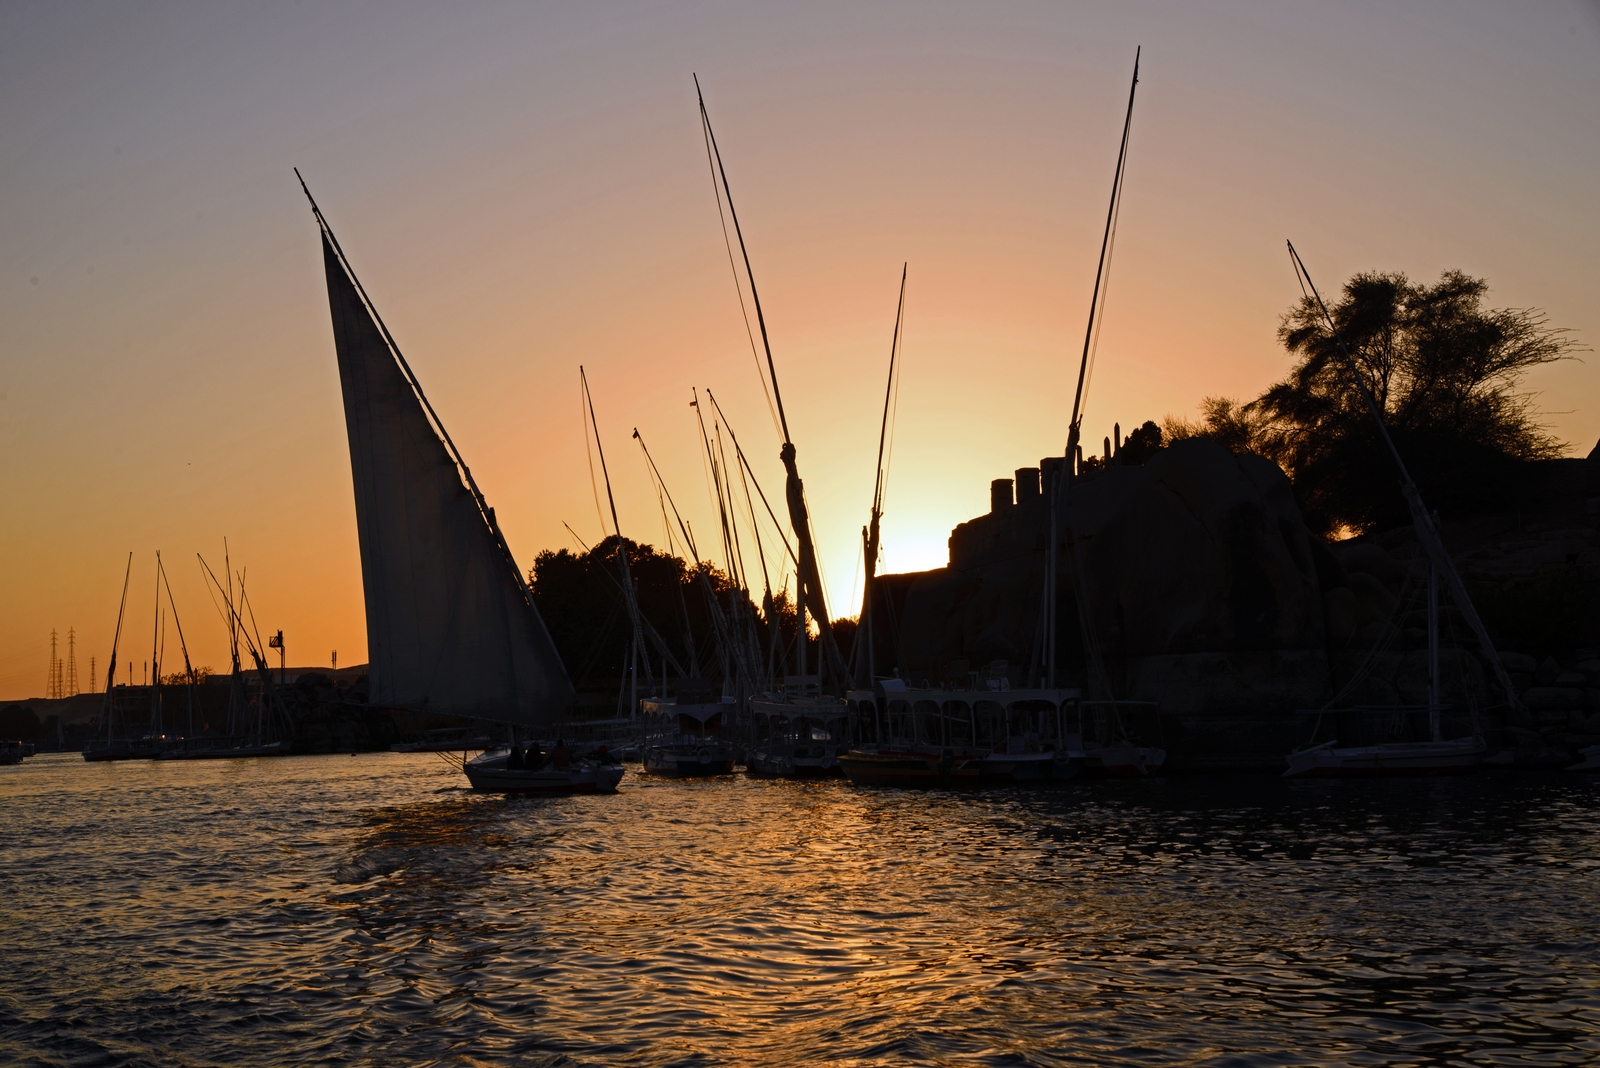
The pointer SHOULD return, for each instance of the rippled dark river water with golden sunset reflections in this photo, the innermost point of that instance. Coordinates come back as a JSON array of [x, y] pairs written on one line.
[[369, 911]]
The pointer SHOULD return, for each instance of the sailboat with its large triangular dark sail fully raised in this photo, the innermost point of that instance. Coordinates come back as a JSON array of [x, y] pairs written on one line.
[[450, 621]]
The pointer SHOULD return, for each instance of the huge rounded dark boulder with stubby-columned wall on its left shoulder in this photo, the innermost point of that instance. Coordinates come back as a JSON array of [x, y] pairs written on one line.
[[1199, 578]]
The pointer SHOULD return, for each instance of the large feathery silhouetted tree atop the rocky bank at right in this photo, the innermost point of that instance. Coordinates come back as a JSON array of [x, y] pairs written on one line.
[[1444, 372]]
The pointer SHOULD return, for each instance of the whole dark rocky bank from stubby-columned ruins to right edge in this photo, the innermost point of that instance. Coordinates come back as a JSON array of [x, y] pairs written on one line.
[[1209, 596]]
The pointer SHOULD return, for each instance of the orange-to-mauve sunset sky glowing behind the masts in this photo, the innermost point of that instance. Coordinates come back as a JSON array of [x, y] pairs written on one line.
[[524, 189]]
